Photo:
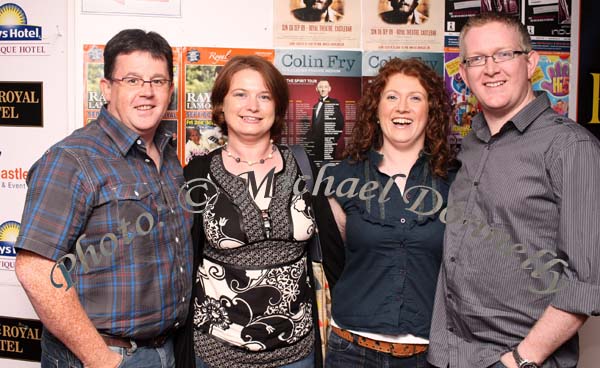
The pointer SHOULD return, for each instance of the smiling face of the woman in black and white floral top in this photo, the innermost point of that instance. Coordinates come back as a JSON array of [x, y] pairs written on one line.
[[248, 107]]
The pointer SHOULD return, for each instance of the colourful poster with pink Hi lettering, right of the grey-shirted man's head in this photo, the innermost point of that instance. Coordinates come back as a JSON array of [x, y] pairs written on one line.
[[552, 76]]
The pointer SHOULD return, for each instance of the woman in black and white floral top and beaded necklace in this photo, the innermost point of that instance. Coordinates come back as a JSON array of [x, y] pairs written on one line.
[[252, 303]]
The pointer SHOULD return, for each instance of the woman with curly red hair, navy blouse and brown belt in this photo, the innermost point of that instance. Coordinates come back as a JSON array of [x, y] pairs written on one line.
[[391, 189]]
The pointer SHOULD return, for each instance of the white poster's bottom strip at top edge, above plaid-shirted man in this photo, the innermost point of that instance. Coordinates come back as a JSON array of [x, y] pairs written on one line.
[[162, 8]]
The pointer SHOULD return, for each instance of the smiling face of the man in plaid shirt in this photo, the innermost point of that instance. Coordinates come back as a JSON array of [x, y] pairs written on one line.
[[140, 108]]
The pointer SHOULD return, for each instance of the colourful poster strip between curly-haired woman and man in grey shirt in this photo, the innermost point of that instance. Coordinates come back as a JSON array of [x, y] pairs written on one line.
[[463, 102]]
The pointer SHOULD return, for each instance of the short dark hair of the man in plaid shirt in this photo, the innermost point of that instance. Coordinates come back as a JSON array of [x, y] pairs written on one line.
[[131, 40]]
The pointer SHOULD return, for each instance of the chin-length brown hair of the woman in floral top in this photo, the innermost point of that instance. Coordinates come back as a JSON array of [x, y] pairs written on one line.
[[275, 82]]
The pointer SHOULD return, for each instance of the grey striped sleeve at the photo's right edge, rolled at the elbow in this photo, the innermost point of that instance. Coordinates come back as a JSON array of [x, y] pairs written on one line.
[[575, 176]]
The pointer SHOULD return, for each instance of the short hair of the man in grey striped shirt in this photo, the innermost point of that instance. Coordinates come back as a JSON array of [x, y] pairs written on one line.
[[493, 17]]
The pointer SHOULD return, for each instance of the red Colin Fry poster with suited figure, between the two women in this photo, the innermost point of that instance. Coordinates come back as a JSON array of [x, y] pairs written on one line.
[[324, 89]]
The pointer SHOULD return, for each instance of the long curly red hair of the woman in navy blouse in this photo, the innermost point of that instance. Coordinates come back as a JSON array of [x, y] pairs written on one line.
[[367, 133]]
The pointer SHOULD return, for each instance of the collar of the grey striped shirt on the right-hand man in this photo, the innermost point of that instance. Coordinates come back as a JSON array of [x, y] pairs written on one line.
[[521, 120]]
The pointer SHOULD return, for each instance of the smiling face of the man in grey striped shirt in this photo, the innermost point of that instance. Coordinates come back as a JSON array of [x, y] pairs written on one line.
[[503, 88]]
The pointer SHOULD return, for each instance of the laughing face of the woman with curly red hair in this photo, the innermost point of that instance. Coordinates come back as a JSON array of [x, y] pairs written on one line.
[[403, 112]]
